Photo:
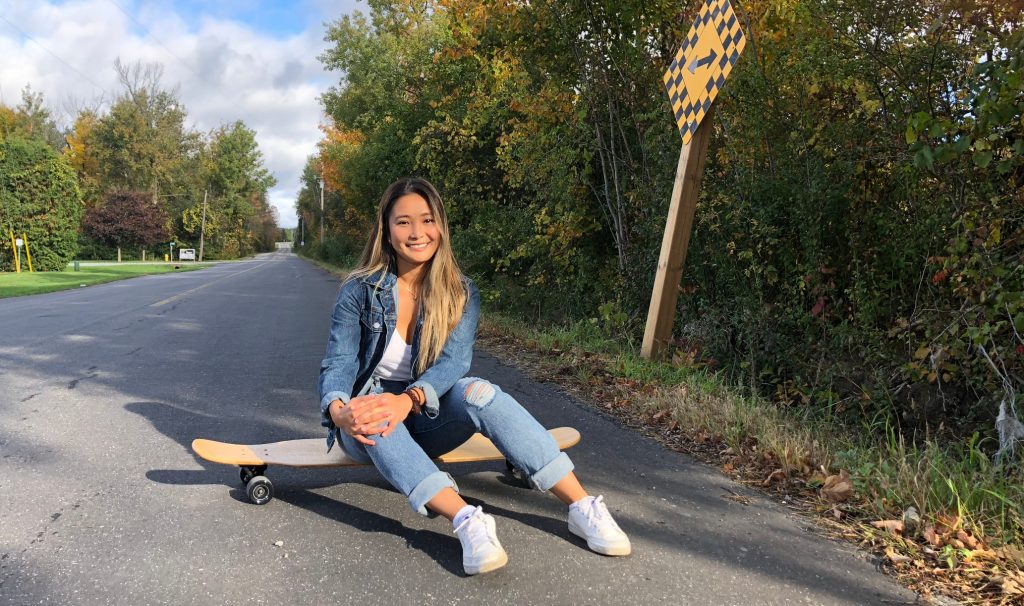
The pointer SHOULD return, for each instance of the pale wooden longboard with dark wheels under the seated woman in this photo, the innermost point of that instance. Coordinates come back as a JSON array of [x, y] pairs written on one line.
[[253, 460]]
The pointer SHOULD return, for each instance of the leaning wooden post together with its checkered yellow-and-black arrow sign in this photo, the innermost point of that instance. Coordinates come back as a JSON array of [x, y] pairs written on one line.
[[693, 81]]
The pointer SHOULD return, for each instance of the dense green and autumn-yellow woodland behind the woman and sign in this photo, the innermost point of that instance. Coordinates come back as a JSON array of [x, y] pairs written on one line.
[[860, 235]]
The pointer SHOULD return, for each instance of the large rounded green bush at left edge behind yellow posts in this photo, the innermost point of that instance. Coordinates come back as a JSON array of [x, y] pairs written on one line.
[[39, 197]]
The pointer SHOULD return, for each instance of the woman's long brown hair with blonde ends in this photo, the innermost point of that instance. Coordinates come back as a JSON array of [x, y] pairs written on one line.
[[443, 294]]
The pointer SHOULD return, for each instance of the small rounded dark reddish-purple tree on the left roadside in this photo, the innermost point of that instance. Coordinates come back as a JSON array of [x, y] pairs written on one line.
[[127, 220]]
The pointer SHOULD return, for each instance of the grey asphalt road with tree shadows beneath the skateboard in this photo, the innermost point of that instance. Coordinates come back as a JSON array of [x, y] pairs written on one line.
[[102, 502]]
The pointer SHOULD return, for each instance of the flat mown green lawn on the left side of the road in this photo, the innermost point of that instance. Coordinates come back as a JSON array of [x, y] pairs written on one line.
[[19, 285]]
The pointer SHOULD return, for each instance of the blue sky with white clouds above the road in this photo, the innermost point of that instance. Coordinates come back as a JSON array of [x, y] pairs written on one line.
[[253, 61]]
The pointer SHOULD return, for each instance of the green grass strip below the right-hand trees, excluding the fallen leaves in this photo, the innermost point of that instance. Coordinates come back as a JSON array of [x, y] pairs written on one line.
[[891, 473]]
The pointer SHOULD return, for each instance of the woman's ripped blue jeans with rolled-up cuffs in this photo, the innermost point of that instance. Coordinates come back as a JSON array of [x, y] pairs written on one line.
[[405, 457]]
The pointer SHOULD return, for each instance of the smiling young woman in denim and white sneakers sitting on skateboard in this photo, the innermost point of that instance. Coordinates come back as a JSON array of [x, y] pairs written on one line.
[[394, 389]]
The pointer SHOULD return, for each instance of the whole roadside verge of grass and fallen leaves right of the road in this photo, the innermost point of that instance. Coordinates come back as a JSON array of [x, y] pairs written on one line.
[[943, 520]]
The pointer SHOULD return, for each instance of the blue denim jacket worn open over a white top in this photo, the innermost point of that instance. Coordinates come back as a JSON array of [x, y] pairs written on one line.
[[364, 320]]
